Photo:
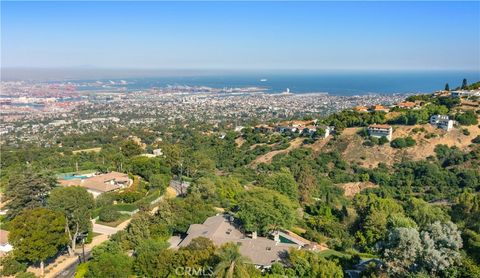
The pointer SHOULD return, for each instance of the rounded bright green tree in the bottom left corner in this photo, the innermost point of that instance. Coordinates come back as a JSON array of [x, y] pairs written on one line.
[[37, 234]]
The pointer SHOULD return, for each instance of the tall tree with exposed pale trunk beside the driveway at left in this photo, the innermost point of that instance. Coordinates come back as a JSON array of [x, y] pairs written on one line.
[[76, 204]]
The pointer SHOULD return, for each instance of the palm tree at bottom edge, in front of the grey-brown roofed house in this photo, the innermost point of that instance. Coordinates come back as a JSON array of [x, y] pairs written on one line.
[[231, 262]]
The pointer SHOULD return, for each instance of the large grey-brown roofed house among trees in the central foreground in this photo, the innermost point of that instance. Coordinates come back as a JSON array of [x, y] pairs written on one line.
[[261, 251]]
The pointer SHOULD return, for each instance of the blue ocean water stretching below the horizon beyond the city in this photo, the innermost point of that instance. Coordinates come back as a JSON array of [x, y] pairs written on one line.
[[347, 83]]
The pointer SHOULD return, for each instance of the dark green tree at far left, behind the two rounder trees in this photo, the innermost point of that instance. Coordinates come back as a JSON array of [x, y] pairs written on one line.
[[27, 189]]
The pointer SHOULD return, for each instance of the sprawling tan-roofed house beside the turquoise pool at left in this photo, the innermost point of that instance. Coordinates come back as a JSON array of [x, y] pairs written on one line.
[[98, 184]]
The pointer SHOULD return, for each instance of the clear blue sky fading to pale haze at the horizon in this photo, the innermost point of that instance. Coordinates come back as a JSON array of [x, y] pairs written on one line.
[[242, 35]]
